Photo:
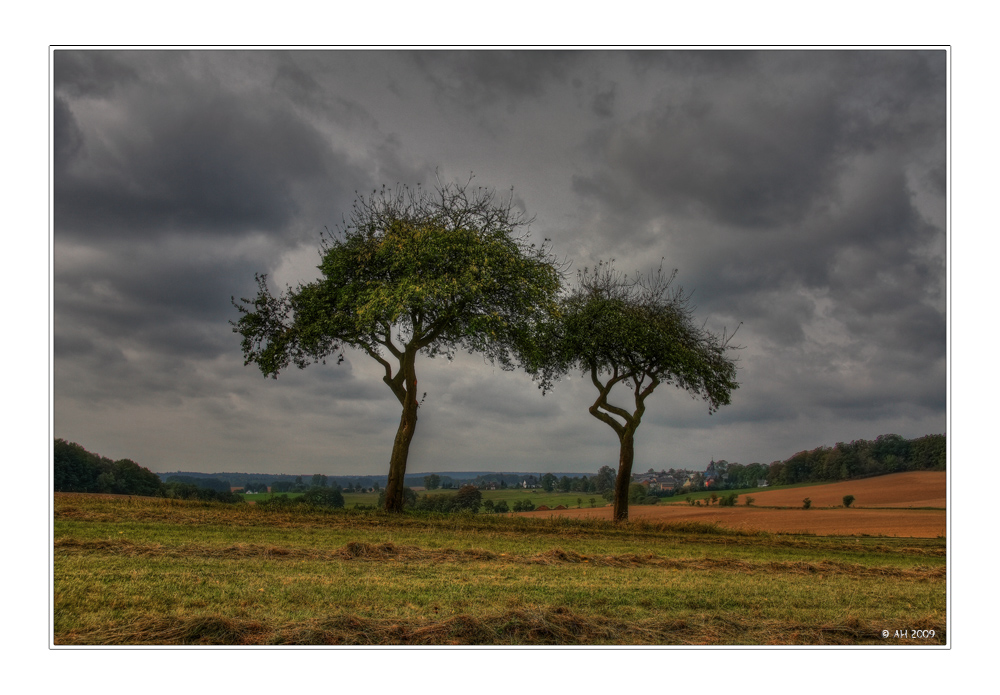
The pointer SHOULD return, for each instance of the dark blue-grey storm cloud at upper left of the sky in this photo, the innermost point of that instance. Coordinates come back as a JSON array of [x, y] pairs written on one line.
[[211, 165]]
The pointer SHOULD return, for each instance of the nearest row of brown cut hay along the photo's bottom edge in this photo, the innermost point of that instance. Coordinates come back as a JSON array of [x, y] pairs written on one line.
[[558, 626]]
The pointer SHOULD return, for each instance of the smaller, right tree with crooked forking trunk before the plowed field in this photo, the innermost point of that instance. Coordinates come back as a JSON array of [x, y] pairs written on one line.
[[639, 332]]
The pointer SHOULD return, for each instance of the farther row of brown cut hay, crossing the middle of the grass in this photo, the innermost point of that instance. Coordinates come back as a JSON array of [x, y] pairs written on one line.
[[387, 552]]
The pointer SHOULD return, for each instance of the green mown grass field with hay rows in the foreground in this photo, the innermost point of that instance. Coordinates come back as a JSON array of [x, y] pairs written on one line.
[[150, 571]]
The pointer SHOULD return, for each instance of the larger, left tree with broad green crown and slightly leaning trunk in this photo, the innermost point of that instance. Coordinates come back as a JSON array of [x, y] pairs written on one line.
[[411, 271]]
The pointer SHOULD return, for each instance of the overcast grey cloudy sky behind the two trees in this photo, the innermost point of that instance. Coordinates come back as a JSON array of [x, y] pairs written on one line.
[[802, 193]]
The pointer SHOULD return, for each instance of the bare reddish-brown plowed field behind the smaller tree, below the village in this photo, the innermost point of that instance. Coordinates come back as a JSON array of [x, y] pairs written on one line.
[[901, 492]]
